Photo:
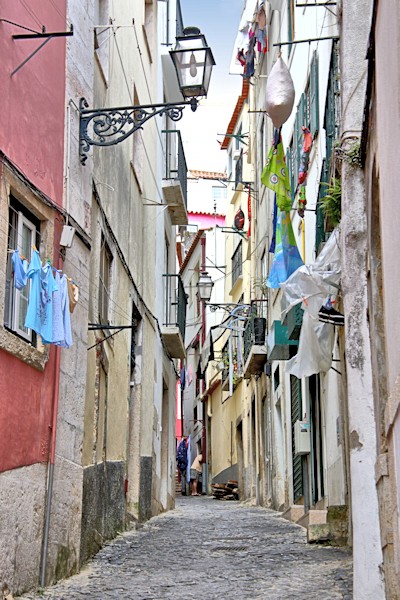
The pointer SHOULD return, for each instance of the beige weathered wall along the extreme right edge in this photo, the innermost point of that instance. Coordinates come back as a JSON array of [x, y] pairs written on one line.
[[382, 182]]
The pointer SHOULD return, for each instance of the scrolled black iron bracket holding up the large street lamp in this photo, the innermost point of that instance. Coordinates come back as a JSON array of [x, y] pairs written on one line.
[[110, 126]]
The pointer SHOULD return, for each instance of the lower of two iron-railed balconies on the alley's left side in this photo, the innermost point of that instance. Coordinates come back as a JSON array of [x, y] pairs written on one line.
[[174, 320]]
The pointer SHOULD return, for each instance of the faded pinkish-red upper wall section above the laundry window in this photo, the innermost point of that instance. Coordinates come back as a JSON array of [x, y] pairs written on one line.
[[32, 100]]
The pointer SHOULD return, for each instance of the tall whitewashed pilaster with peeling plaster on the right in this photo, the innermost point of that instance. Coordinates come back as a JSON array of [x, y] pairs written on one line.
[[368, 579]]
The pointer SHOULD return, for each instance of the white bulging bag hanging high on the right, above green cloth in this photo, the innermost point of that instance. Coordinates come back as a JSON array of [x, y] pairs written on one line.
[[279, 94]]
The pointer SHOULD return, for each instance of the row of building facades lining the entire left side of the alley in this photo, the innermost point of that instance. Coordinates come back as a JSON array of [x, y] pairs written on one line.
[[91, 443]]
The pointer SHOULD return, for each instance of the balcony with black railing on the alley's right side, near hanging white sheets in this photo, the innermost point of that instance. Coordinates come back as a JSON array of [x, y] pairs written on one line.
[[254, 342]]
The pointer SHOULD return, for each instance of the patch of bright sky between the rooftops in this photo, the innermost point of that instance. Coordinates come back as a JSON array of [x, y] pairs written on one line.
[[219, 21]]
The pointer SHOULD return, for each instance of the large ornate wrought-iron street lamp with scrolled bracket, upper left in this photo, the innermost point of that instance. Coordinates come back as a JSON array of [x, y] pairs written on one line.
[[193, 62]]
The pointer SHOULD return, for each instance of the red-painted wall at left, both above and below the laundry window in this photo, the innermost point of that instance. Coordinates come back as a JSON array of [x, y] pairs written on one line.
[[32, 137]]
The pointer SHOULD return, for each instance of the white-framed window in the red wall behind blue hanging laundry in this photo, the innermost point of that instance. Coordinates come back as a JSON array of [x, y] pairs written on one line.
[[22, 235]]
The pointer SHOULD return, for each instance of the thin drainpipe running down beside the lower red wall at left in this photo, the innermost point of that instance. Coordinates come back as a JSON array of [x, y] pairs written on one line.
[[51, 465]]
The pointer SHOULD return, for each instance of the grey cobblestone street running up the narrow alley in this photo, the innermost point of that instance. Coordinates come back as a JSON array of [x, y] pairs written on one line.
[[212, 549]]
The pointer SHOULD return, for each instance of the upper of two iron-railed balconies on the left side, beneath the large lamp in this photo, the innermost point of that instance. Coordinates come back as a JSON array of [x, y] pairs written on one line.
[[175, 177]]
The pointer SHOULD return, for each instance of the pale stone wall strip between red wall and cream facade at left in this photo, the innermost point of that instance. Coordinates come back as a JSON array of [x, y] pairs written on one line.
[[63, 556]]
